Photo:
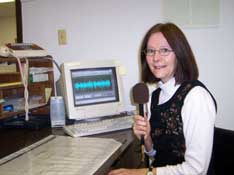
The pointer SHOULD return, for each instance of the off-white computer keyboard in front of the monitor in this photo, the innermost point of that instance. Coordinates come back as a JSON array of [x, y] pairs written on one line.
[[100, 126]]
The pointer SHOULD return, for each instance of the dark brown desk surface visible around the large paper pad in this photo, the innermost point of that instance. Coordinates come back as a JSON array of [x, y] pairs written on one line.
[[128, 156]]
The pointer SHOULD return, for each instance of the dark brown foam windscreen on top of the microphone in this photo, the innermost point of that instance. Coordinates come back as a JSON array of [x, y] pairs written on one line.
[[140, 93]]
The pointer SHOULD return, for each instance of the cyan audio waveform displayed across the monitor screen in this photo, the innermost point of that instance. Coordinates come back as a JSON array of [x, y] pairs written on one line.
[[101, 84]]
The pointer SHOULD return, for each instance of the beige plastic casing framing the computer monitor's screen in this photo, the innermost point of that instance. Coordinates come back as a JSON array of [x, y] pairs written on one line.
[[90, 111]]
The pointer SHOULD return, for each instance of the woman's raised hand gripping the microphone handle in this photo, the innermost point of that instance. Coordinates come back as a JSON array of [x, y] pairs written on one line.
[[141, 127]]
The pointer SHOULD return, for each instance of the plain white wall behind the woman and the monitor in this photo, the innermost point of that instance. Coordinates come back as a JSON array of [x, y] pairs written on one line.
[[107, 29]]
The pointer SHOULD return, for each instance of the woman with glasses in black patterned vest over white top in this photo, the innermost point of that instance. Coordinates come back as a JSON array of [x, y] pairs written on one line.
[[179, 131]]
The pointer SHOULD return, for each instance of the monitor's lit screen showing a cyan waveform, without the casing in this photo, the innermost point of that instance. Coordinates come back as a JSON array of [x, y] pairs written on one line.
[[94, 85]]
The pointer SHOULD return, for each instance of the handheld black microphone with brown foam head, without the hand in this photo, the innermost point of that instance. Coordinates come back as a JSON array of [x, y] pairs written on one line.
[[140, 96]]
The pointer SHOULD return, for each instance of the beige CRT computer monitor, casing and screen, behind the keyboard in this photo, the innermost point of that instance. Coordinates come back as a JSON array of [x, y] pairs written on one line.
[[91, 88]]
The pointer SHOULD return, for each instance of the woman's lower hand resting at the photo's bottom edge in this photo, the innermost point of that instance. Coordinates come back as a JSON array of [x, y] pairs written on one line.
[[123, 171]]
